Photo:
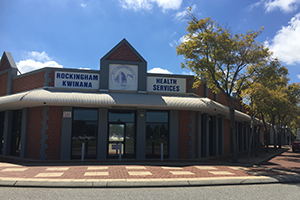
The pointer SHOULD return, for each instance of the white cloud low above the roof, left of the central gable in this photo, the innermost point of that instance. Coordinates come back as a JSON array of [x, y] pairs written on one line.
[[35, 60]]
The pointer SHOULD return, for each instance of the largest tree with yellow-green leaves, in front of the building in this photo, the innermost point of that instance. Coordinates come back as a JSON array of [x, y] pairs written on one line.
[[219, 58]]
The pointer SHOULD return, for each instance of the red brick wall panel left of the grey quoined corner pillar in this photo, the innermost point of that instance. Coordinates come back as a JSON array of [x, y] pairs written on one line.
[[34, 136]]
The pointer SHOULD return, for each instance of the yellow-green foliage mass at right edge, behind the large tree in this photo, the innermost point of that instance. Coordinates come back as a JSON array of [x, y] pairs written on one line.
[[272, 98]]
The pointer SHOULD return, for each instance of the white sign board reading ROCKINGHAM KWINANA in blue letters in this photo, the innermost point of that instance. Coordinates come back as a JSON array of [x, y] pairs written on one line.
[[76, 80]]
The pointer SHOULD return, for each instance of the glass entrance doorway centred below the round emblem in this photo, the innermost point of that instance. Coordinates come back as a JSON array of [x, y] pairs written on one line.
[[121, 134]]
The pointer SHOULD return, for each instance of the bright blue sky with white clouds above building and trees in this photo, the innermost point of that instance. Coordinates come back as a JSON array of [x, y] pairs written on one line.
[[77, 33]]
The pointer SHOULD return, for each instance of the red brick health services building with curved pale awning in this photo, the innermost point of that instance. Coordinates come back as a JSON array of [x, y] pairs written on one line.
[[48, 113]]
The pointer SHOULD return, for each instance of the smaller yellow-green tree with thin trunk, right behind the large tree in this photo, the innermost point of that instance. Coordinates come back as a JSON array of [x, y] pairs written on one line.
[[258, 91]]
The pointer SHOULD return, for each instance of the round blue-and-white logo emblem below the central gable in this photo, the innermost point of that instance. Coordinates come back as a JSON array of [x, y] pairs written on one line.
[[123, 77]]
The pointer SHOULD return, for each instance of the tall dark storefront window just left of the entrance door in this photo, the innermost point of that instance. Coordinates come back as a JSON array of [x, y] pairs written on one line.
[[84, 130]]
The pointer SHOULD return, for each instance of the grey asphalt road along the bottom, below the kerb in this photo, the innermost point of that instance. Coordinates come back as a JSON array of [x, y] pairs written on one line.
[[245, 192]]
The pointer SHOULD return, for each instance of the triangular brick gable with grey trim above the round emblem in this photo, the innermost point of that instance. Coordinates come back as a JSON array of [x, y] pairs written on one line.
[[124, 52]]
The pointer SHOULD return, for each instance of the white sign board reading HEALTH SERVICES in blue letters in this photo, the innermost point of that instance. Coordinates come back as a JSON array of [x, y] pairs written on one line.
[[166, 84]]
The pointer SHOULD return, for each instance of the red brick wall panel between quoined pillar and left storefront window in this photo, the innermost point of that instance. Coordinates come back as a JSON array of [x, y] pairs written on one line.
[[54, 133]]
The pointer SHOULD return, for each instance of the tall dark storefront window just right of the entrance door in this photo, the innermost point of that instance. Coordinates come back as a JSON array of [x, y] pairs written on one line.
[[157, 132]]
